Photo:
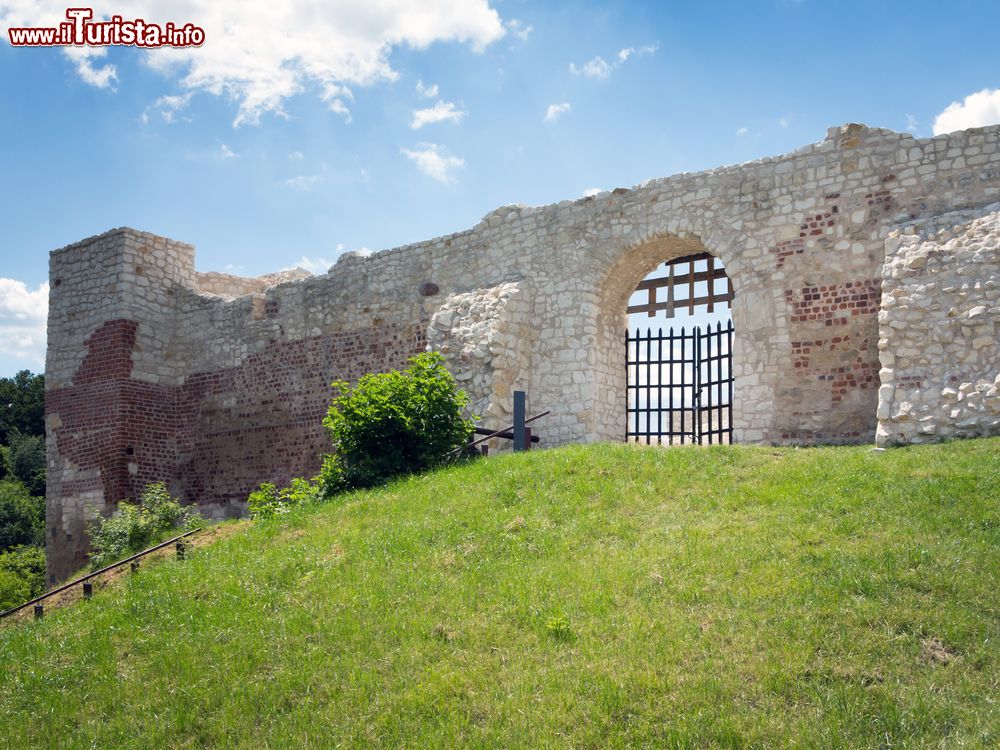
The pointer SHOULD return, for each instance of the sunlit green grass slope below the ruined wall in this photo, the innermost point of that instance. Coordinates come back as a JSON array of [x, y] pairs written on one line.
[[602, 596]]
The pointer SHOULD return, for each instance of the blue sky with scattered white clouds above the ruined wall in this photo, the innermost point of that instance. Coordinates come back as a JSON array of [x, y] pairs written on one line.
[[290, 135]]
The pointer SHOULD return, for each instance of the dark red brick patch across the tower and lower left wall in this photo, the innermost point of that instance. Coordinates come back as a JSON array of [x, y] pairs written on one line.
[[221, 433]]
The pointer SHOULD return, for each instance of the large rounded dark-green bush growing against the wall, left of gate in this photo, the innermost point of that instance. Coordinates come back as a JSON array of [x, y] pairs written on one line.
[[394, 423]]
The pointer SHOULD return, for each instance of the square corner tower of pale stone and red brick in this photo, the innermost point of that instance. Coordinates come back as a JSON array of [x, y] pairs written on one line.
[[103, 370]]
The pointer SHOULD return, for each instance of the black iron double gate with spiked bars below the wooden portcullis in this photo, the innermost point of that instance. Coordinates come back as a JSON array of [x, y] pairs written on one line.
[[680, 385]]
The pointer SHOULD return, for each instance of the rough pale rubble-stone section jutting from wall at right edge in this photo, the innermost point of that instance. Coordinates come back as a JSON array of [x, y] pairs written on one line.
[[939, 329]]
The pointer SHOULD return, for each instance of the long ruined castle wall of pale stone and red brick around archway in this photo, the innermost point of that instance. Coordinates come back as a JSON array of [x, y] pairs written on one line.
[[214, 383]]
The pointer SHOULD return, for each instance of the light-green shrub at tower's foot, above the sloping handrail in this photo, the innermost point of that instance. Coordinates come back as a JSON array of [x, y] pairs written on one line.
[[134, 527]]
